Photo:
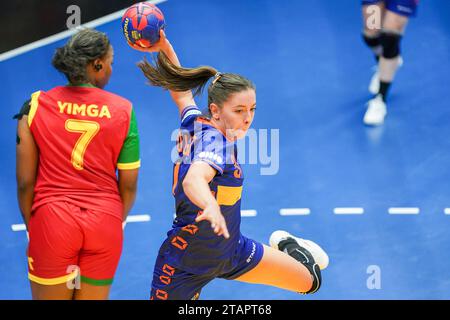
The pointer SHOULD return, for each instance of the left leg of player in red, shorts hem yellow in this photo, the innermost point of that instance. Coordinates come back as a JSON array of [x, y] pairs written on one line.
[[55, 240]]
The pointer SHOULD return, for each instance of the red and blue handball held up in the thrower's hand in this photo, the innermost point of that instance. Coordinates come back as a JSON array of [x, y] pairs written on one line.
[[141, 24]]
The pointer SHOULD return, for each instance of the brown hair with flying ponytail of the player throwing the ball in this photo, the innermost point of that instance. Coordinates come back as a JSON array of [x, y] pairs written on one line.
[[168, 76]]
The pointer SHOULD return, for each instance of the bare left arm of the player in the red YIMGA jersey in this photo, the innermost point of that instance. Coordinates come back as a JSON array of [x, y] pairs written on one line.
[[27, 156]]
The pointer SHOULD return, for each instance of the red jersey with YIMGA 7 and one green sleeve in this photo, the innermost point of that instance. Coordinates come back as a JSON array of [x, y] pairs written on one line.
[[83, 134]]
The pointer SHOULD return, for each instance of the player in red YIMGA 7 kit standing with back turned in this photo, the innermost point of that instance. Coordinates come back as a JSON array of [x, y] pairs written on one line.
[[70, 142]]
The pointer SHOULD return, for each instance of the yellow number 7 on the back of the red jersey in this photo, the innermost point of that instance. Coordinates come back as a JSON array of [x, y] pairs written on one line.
[[88, 130]]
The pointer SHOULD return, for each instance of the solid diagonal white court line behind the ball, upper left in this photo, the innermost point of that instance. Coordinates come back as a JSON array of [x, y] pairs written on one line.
[[56, 37]]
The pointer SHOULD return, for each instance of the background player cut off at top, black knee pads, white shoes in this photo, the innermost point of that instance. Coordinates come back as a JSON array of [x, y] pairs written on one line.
[[384, 40]]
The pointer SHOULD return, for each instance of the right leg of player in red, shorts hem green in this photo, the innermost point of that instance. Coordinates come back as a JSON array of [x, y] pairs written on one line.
[[100, 255]]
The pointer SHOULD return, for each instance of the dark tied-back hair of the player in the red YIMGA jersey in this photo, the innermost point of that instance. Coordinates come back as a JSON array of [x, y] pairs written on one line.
[[82, 48]]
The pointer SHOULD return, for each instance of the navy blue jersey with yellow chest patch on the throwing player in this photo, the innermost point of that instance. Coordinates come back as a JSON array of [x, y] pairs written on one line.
[[199, 140]]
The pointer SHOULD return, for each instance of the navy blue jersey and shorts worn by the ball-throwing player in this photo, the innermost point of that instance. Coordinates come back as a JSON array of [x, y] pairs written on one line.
[[192, 254]]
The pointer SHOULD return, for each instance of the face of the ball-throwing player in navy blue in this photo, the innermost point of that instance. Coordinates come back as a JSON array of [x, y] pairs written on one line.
[[237, 113]]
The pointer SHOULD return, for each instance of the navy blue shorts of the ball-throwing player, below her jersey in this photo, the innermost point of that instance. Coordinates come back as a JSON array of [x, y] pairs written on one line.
[[173, 283]]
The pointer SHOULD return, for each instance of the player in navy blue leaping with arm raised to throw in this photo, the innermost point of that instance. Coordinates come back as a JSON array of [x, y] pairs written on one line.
[[205, 241]]
